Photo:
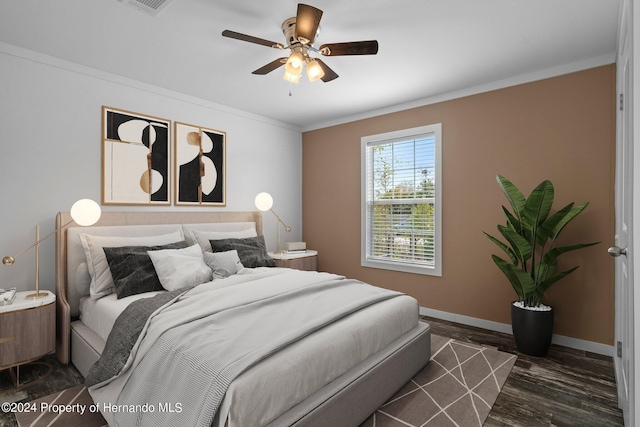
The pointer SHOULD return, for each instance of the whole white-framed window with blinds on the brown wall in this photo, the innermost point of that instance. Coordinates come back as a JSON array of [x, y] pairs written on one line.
[[401, 200]]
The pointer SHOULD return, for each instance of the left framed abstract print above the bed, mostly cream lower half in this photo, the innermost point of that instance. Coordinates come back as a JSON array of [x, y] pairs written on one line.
[[136, 158]]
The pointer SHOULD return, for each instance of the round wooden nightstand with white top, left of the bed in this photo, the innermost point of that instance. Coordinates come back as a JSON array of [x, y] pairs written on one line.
[[27, 331]]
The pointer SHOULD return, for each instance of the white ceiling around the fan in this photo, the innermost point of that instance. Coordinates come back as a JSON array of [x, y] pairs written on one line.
[[428, 48]]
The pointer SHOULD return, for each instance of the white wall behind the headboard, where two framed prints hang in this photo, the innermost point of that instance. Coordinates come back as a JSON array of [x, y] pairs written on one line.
[[50, 152]]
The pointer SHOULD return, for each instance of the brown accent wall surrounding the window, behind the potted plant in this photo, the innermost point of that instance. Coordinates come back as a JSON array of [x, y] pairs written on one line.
[[562, 129]]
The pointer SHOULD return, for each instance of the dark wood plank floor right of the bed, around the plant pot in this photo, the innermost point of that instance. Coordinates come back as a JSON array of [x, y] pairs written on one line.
[[568, 387]]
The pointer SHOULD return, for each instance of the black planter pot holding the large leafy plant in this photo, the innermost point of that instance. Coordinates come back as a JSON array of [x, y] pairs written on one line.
[[532, 330]]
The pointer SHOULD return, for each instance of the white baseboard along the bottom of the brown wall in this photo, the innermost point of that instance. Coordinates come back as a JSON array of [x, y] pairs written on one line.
[[593, 347]]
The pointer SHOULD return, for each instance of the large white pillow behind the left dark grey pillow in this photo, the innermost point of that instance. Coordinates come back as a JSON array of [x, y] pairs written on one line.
[[101, 280]]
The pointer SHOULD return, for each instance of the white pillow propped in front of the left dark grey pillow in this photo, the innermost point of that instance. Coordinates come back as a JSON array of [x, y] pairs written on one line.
[[177, 268]]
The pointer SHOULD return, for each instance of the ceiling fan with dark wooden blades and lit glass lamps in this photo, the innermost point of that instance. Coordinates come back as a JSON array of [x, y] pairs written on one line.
[[300, 32]]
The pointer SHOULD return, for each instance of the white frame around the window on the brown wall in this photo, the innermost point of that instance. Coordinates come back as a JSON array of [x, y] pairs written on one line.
[[434, 130]]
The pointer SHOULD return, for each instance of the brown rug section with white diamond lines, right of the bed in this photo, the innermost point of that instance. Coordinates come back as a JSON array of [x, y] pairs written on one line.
[[457, 388]]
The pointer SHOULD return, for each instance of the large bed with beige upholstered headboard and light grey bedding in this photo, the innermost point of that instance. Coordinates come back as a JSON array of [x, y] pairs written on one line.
[[358, 346]]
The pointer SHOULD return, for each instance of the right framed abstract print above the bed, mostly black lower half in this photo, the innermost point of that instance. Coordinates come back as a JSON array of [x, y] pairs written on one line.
[[200, 171]]
